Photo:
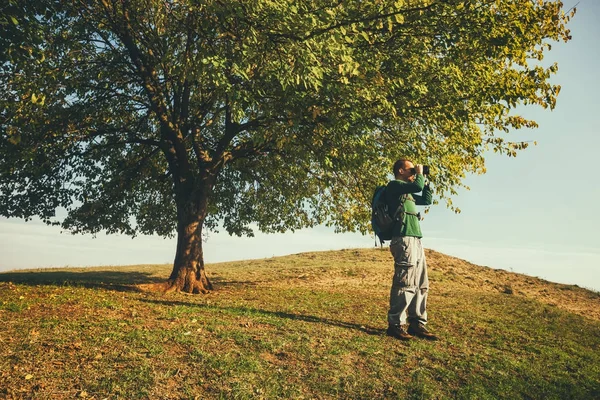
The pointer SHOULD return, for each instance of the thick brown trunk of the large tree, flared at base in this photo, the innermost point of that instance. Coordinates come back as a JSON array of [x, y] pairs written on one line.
[[188, 273]]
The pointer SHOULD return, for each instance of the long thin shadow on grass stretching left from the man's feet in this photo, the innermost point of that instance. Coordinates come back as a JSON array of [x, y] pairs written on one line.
[[247, 311]]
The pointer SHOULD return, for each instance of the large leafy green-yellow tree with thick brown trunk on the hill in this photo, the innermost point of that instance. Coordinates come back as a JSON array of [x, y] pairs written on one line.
[[162, 116]]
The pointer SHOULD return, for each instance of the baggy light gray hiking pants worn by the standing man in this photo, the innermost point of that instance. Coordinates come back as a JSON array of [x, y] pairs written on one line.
[[408, 297]]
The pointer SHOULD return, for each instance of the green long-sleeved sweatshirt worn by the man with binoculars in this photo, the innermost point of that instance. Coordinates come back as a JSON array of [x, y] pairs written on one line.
[[394, 192]]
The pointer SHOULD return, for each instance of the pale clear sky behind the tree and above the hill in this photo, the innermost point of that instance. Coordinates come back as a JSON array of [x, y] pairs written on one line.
[[537, 214]]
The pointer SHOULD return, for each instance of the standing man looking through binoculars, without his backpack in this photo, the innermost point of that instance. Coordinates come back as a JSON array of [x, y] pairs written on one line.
[[408, 297]]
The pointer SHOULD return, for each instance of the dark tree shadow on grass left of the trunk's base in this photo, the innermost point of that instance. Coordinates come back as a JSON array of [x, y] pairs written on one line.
[[104, 279]]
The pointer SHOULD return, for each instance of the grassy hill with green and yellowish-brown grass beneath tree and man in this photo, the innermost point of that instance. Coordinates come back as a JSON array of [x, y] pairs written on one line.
[[309, 326]]
